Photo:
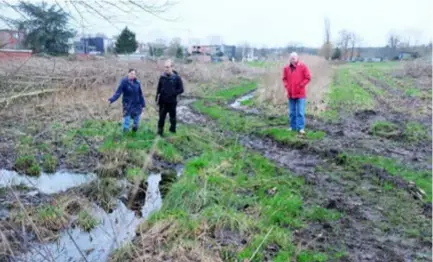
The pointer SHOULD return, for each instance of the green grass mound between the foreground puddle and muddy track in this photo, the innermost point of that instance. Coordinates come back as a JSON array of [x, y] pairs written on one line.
[[241, 193]]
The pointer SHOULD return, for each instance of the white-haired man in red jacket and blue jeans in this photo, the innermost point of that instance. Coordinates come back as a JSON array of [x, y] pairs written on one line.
[[296, 76]]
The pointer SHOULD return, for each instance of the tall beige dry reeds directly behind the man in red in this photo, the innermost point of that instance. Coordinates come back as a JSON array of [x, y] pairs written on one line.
[[271, 93]]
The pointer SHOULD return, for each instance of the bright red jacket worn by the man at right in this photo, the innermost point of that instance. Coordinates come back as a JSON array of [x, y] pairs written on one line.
[[296, 81]]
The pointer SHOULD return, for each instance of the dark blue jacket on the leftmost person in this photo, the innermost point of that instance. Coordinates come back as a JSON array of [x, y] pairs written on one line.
[[132, 99]]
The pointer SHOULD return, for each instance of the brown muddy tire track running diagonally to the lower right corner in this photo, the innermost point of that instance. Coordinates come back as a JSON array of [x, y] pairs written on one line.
[[356, 232]]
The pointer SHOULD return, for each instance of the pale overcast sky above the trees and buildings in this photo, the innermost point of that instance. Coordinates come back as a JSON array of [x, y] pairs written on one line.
[[274, 22]]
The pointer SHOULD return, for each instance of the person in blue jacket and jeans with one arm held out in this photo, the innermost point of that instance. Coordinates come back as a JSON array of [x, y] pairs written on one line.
[[132, 99]]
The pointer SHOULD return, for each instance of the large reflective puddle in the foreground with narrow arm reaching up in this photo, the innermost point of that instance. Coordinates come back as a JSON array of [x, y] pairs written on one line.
[[114, 229]]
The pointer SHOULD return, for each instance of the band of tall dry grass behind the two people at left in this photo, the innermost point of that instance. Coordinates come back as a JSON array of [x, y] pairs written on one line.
[[18, 78]]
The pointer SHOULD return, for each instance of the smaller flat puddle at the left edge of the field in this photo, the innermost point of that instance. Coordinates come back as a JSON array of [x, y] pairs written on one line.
[[45, 183]]
